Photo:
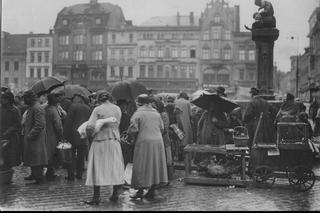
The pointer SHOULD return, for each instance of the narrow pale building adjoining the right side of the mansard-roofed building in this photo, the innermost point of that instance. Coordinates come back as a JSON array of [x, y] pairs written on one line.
[[122, 54]]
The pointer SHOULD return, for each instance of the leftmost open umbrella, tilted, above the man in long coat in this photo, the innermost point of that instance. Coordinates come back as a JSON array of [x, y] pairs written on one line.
[[47, 84]]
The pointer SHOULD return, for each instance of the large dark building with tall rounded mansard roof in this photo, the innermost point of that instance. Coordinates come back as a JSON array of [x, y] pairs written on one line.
[[81, 42]]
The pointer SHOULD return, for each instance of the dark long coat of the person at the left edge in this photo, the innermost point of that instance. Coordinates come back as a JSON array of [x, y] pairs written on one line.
[[11, 129]]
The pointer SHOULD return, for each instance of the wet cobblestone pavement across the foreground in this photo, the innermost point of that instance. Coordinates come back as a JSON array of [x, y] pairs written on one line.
[[61, 195]]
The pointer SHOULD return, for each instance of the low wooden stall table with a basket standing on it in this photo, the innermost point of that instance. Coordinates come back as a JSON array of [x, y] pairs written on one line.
[[227, 149]]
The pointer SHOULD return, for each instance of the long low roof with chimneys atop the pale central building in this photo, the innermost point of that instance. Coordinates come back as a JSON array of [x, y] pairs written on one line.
[[170, 21]]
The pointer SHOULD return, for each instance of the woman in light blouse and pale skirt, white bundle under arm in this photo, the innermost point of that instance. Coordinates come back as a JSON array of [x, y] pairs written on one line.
[[105, 161]]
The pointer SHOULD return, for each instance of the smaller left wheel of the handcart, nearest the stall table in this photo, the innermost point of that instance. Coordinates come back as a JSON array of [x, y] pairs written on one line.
[[263, 175]]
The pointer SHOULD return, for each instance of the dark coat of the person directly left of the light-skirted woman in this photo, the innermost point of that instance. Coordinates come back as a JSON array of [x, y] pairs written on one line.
[[78, 113]]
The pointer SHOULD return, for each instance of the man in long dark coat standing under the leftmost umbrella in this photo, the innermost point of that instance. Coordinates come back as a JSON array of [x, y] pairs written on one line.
[[35, 149]]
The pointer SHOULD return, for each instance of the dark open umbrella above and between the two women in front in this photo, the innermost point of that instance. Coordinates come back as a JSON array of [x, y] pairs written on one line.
[[128, 90]]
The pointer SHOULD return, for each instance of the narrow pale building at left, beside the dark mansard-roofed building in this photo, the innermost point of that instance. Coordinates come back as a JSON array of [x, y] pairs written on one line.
[[39, 57]]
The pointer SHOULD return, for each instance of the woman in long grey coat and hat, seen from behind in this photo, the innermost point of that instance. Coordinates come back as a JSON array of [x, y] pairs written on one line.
[[149, 159]]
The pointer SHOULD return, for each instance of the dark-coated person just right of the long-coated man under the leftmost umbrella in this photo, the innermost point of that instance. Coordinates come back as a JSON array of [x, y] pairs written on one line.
[[54, 131]]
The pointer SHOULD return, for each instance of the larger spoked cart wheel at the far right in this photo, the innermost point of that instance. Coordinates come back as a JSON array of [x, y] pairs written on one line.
[[301, 178]]
